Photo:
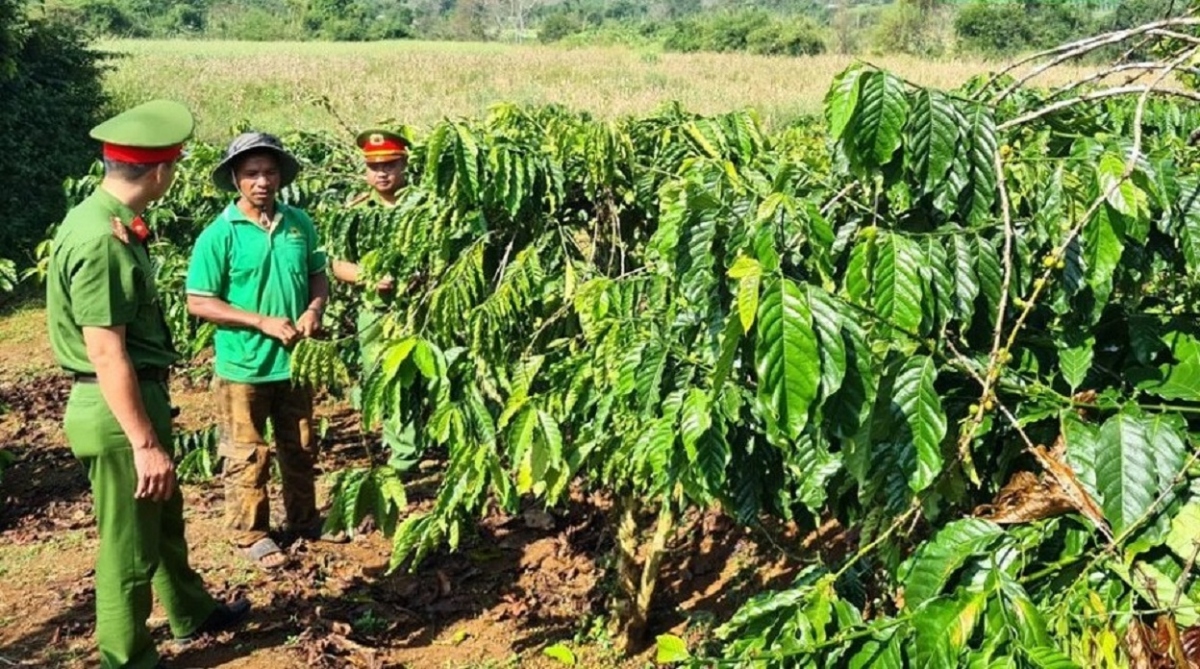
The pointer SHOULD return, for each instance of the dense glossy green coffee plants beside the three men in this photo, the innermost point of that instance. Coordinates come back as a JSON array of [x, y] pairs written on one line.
[[959, 326]]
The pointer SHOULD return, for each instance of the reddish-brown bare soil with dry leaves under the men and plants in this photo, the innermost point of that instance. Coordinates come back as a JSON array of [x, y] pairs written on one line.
[[517, 587]]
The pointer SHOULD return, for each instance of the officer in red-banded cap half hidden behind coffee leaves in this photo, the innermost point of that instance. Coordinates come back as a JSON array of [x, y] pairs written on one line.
[[386, 154]]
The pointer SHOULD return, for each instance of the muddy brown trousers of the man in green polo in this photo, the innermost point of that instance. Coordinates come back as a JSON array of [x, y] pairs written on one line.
[[243, 413]]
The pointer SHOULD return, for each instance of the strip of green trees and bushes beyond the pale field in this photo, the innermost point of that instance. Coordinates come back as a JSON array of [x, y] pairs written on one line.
[[766, 27]]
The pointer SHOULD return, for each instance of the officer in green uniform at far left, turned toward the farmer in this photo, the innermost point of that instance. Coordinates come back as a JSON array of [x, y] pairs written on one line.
[[107, 329]]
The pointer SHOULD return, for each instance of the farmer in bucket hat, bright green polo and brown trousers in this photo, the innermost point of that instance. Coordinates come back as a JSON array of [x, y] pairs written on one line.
[[259, 275]]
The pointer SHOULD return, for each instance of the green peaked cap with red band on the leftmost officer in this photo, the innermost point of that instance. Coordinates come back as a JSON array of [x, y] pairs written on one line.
[[152, 132]]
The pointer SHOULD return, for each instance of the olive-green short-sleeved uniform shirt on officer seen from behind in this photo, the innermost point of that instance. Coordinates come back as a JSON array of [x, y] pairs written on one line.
[[99, 281]]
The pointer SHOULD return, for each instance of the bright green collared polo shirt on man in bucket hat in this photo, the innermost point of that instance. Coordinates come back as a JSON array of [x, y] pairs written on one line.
[[237, 261]]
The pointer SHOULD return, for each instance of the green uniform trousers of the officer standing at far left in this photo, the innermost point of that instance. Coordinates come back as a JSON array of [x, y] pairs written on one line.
[[141, 543]]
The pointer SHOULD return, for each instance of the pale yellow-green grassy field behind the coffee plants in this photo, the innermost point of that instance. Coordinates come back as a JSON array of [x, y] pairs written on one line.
[[273, 86]]
